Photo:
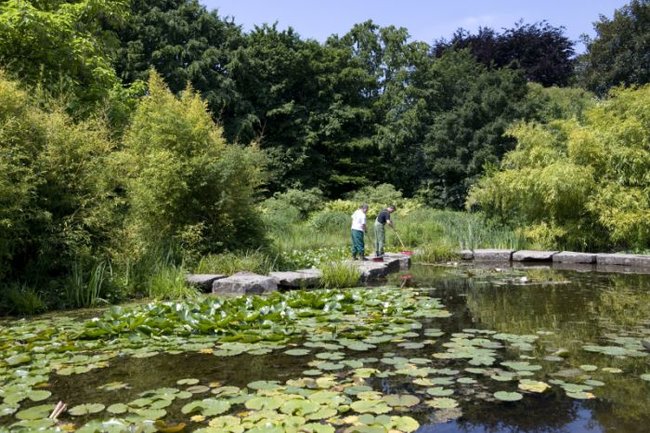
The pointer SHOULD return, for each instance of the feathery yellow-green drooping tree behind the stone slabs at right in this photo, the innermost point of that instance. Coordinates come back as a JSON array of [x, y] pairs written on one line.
[[578, 185]]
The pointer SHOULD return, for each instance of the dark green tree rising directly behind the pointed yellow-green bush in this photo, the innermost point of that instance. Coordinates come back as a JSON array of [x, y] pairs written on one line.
[[186, 44]]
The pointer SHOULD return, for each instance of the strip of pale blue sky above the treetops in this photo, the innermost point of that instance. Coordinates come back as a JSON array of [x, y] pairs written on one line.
[[426, 20]]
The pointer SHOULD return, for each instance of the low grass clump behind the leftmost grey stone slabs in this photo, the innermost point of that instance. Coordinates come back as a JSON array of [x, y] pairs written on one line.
[[255, 261]]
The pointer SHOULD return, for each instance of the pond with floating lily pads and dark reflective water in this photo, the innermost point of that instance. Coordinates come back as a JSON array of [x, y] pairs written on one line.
[[439, 350]]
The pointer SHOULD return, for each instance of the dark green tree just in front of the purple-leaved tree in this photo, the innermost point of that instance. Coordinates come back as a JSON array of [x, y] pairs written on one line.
[[473, 106]]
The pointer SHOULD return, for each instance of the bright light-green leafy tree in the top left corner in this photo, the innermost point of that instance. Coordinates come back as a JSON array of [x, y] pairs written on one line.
[[61, 45]]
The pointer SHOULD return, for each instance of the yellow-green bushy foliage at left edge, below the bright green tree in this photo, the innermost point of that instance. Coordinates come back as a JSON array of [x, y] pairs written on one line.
[[56, 200]]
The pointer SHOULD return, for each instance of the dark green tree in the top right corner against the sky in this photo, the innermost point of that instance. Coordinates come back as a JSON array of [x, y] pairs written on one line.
[[618, 55]]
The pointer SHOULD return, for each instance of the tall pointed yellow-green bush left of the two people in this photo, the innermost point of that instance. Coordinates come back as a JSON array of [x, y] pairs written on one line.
[[184, 183]]
